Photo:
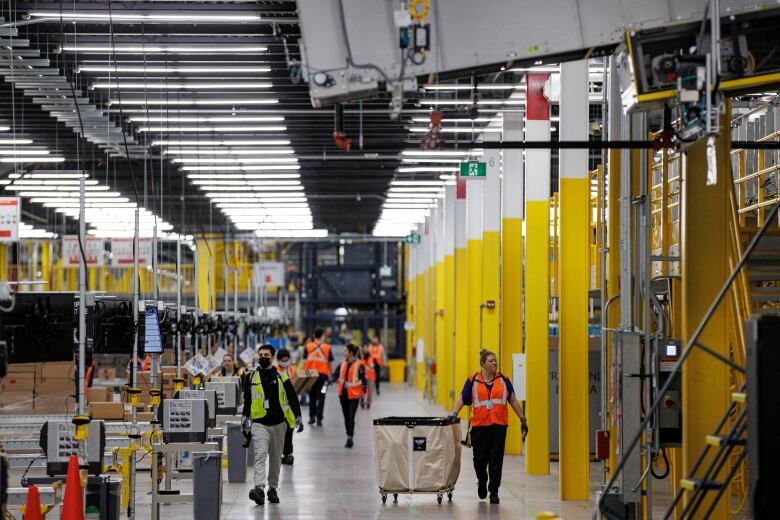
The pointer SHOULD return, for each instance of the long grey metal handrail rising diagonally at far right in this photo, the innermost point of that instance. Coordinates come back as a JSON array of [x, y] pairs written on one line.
[[692, 343]]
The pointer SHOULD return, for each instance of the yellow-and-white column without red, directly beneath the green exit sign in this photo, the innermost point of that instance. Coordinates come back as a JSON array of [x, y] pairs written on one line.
[[474, 252]]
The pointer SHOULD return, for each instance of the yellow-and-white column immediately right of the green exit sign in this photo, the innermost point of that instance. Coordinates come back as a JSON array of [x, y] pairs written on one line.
[[491, 247]]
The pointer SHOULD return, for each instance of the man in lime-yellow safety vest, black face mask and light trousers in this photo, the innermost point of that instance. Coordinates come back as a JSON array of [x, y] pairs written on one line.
[[270, 407]]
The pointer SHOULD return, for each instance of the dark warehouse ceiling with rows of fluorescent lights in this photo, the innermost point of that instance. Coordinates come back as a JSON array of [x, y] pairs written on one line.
[[231, 58]]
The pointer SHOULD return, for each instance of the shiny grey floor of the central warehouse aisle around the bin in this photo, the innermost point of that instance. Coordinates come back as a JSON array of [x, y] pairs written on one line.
[[330, 482]]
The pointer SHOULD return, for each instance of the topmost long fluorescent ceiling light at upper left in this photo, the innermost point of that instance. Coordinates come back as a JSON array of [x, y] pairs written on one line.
[[151, 16]]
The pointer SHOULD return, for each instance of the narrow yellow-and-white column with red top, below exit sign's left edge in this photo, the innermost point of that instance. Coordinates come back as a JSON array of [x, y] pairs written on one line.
[[461, 293]]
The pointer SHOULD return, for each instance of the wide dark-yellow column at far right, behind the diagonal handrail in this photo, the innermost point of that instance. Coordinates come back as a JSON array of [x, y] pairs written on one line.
[[704, 235]]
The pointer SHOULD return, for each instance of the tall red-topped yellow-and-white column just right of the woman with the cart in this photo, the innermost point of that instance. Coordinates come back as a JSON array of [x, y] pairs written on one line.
[[537, 286]]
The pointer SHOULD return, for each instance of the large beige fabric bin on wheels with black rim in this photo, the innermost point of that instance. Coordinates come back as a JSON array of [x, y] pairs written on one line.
[[417, 455]]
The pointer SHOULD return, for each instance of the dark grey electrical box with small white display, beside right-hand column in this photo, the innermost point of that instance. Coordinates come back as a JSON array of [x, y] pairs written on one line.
[[670, 409]]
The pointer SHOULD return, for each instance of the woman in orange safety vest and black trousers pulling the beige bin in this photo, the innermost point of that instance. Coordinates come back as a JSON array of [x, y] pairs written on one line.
[[488, 392]]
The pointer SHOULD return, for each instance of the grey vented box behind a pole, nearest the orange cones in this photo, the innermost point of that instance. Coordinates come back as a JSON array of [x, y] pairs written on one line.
[[58, 444]]
